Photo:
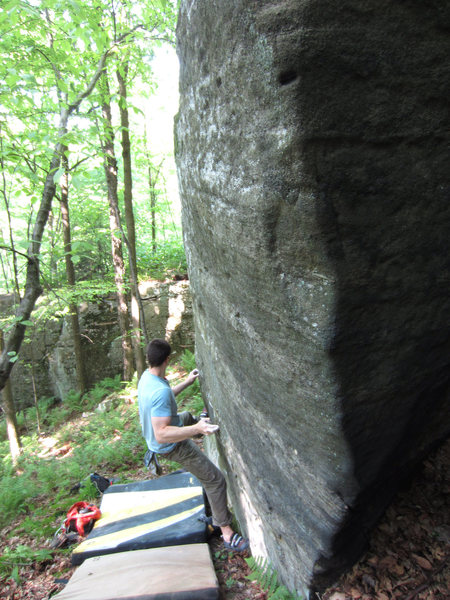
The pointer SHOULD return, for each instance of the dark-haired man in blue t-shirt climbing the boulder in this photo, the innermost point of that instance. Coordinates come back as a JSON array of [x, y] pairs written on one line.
[[169, 433]]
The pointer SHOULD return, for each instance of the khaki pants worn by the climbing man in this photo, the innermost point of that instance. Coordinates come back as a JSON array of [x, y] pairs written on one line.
[[191, 458]]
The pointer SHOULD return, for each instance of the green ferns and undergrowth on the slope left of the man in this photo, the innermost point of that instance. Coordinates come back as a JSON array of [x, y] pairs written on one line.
[[106, 442]]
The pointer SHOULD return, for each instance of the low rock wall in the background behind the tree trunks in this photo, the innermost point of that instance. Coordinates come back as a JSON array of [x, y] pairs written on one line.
[[49, 356]]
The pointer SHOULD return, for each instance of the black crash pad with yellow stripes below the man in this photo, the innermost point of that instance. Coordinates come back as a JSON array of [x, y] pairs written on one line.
[[147, 514]]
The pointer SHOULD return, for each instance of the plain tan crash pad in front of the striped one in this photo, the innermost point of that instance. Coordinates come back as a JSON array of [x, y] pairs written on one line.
[[174, 573]]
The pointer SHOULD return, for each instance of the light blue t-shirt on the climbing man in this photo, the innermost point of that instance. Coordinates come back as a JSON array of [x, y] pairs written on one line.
[[156, 399]]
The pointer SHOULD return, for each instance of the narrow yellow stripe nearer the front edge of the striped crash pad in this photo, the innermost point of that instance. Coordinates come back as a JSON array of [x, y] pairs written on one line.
[[113, 539]]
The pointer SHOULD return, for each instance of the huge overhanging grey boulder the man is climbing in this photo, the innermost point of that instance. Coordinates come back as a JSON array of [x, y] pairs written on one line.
[[312, 149]]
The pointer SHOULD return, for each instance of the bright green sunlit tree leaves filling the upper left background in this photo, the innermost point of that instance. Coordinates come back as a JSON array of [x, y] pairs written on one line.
[[52, 51]]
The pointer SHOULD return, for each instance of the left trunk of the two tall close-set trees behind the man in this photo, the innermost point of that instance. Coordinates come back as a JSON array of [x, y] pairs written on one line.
[[110, 165]]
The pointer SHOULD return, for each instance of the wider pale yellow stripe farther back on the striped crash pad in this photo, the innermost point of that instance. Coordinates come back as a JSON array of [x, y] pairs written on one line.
[[151, 504]]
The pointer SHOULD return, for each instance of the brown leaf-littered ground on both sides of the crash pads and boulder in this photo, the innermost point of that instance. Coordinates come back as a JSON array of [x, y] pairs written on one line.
[[408, 557]]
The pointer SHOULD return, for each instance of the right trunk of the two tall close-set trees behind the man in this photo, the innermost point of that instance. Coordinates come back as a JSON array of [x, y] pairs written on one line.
[[129, 219]]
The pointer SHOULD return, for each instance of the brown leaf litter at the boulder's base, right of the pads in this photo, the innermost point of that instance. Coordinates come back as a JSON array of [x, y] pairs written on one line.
[[408, 557]]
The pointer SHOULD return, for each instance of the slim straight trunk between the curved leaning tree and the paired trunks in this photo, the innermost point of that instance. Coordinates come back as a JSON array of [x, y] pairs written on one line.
[[70, 274]]
